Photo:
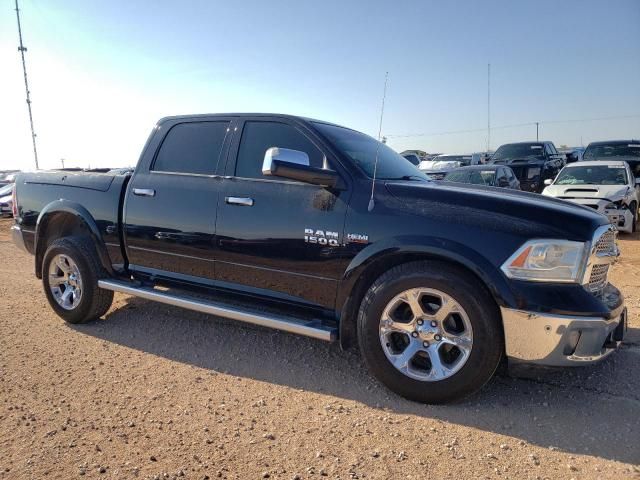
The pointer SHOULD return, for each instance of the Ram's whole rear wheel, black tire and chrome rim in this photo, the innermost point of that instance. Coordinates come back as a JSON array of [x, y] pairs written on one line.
[[70, 273]]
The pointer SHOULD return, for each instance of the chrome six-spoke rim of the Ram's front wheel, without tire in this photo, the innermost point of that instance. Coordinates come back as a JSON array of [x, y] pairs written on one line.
[[426, 334]]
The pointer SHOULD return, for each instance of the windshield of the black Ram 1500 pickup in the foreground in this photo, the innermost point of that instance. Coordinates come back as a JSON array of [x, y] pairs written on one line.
[[362, 149]]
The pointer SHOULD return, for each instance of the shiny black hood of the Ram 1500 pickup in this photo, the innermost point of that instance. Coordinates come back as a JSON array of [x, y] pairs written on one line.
[[497, 208]]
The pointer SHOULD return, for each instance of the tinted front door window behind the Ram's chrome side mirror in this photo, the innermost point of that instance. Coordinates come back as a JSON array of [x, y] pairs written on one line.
[[259, 136]]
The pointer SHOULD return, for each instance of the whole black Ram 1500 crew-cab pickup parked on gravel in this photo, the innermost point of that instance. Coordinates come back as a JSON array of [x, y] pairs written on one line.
[[278, 221]]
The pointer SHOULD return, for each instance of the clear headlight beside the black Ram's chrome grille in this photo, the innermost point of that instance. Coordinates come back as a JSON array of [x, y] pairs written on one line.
[[547, 261]]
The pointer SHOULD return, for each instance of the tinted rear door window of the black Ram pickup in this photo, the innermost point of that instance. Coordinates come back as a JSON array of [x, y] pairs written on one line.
[[193, 147]]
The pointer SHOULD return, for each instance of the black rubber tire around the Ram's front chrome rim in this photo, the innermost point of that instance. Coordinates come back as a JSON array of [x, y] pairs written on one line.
[[488, 342]]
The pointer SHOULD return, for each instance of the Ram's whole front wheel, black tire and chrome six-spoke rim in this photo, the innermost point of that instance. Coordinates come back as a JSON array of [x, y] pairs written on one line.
[[430, 332]]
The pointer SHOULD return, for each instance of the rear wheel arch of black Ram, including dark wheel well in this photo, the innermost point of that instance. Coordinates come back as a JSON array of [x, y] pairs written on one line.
[[61, 218]]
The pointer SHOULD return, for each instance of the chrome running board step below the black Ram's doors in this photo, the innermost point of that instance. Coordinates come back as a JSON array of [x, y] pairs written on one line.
[[314, 329]]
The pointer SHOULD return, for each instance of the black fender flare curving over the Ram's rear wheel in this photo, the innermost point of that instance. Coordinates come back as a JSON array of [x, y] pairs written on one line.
[[83, 215]]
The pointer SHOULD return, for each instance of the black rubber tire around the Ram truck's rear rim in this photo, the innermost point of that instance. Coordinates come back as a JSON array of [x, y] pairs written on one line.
[[94, 302]]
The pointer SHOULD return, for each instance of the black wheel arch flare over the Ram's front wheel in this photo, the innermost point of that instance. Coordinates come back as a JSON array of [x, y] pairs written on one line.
[[366, 267]]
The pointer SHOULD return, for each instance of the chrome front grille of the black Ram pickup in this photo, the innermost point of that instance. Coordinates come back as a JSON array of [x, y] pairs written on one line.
[[604, 252]]
